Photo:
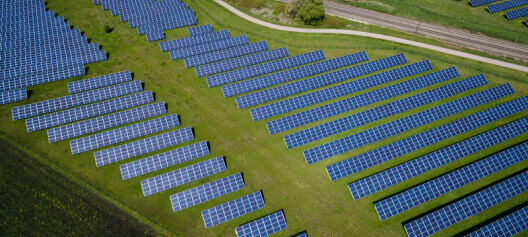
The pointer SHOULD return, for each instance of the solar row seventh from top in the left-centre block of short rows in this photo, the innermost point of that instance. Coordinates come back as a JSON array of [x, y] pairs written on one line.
[[164, 160]]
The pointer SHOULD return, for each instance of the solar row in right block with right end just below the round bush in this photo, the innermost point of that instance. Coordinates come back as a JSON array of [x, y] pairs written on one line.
[[264, 68]]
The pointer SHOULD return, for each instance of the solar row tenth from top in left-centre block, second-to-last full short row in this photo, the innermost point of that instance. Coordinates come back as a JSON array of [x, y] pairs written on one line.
[[232, 209]]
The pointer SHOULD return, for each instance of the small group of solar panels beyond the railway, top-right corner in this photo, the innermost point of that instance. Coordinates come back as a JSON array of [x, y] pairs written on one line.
[[504, 6]]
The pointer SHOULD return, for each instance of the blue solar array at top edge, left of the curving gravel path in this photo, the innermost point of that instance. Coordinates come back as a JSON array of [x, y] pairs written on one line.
[[151, 17]]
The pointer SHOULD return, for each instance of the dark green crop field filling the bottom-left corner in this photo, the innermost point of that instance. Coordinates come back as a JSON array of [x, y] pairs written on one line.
[[39, 201]]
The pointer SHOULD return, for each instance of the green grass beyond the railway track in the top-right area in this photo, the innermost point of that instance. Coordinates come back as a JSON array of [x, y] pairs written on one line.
[[457, 14]]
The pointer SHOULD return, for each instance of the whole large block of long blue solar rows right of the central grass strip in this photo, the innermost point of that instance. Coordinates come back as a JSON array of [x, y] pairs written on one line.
[[258, 74]]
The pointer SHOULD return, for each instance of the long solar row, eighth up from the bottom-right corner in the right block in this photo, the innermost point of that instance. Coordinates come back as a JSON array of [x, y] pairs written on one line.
[[341, 106]]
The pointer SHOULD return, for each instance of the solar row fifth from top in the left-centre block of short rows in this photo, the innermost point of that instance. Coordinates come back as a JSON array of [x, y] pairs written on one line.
[[123, 134]]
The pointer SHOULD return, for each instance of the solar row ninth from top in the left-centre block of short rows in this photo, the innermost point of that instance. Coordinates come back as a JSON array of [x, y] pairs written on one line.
[[206, 192]]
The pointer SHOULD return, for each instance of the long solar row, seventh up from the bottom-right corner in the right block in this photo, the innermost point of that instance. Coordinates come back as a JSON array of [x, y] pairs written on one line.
[[383, 111]]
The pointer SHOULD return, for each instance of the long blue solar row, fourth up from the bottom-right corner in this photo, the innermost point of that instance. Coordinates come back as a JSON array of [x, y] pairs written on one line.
[[413, 168]]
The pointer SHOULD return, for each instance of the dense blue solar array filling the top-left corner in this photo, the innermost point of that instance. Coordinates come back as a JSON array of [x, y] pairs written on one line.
[[38, 48]]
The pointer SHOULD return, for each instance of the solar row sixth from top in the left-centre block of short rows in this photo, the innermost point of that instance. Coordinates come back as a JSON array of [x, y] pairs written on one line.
[[143, 146]]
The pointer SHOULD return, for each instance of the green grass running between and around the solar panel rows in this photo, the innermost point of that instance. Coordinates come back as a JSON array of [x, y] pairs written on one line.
[[310, 201]]
